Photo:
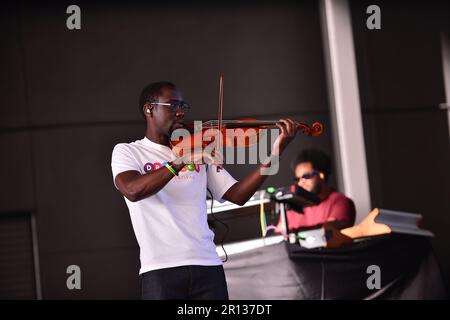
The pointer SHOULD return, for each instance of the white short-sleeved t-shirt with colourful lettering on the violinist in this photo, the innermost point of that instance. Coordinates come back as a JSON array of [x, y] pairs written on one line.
[[171, 226]]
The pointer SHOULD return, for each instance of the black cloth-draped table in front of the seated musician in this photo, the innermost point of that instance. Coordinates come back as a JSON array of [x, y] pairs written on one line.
[[407, 270]]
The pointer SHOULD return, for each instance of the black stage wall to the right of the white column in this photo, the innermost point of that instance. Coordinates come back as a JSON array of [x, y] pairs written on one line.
[[406, 133]]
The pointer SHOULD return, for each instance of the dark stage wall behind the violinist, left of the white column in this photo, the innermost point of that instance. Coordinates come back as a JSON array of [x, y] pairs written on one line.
[[69, 96]]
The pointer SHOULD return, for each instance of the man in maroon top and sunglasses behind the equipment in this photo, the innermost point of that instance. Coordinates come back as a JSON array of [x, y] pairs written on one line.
[[312, 169]]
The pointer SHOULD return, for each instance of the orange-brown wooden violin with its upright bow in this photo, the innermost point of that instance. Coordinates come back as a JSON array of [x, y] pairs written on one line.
[[231, 133]]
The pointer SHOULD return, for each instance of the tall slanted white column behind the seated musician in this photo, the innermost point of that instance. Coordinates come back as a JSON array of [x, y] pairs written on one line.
[[345, 109]]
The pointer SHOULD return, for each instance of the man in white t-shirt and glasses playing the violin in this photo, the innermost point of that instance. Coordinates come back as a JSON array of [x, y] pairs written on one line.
[[166, 197]]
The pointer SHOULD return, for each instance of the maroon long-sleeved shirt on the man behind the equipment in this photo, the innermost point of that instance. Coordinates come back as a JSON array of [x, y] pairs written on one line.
[[336, 206]]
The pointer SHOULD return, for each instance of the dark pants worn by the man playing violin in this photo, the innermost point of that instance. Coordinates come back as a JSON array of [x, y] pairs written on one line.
[[185, 282]]
